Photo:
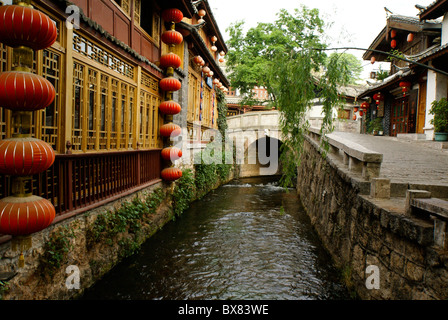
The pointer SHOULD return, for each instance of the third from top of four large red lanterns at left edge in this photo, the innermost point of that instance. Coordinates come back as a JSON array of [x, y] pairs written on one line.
[[25, 156]]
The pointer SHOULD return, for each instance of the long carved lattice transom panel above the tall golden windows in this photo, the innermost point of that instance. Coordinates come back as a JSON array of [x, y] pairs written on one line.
[[90, 50]]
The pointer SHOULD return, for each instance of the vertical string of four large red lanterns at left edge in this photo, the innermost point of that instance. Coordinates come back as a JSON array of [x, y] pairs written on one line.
[[25, 29]]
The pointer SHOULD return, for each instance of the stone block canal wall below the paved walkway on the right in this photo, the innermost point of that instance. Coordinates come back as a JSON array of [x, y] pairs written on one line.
[[362, 232]]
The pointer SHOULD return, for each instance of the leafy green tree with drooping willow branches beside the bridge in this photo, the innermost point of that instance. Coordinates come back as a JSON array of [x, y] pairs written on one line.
[[287, 58]]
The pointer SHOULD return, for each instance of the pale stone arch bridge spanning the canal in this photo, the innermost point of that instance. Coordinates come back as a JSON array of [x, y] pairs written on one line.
[[257, 138]]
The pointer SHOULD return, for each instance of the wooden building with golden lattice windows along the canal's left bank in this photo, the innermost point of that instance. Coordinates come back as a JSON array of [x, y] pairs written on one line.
[[104, 122]]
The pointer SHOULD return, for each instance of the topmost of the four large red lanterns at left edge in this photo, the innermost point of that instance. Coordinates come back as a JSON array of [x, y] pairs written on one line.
[[25, 26]]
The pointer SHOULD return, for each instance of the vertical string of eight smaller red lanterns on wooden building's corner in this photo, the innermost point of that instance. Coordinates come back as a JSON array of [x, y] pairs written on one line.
[[170, 84]]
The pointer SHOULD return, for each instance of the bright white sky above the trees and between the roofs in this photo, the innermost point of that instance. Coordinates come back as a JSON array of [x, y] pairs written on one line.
[[356, 23]]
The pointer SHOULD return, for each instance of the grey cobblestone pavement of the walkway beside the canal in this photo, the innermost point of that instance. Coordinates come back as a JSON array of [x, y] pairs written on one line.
[[406, 161]]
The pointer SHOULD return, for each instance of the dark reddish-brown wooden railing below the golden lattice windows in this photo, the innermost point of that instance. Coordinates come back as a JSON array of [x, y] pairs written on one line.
[[78, 182]]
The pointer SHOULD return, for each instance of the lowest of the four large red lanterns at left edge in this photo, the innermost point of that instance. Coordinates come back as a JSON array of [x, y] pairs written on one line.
[[21, 216]]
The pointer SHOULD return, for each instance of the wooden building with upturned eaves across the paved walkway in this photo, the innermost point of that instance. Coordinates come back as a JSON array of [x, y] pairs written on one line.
[[402, 109]]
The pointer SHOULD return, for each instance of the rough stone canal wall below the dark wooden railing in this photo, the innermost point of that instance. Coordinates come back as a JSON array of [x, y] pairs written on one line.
[[38, 282]]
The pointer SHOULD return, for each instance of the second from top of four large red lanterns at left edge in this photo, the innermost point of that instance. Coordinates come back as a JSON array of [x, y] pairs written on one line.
[[25, 91]]
